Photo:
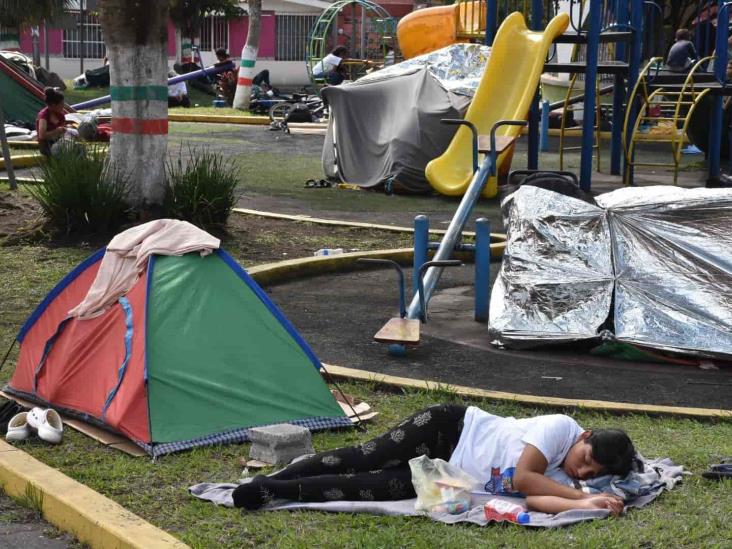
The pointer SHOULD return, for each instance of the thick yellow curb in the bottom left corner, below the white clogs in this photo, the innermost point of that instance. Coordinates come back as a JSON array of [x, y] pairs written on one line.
[[75, 508]]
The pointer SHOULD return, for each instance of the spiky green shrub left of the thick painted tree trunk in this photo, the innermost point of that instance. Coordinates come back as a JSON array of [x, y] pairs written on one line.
[[80, 193]]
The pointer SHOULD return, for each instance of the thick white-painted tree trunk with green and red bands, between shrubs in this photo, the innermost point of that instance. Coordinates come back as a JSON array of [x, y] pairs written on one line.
[[136, 35]]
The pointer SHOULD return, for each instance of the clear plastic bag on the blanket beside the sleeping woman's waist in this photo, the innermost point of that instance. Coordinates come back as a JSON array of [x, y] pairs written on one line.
[[440, 487]]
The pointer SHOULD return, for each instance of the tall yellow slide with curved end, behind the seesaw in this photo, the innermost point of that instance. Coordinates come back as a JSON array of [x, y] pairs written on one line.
[[504, 93]]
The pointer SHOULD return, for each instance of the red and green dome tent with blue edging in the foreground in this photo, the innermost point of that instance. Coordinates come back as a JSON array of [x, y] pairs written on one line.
[[195, 353]]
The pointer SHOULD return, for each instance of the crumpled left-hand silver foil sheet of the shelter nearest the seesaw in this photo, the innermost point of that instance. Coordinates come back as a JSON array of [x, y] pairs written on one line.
[[556, 281]]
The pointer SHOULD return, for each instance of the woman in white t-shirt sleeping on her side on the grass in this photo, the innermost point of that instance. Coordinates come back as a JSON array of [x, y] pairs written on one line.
[[535, 457]]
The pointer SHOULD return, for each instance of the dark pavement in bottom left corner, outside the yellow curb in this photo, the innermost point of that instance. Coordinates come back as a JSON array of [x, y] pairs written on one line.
[[20, 528]]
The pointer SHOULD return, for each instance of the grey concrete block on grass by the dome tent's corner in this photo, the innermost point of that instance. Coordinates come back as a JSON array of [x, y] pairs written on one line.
[[279, 444]]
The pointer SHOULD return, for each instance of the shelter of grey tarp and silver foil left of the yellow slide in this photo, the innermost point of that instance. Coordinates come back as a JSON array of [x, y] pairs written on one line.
[[386, 126]]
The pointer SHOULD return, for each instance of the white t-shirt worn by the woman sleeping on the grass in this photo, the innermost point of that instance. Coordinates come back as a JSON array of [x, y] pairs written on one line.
[[490, 446]]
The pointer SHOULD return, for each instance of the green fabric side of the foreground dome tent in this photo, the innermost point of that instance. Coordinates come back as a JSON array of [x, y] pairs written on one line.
[[198, 314]]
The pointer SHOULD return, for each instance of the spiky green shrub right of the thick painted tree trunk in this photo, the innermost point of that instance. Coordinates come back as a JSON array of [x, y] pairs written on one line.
[[203, 190]]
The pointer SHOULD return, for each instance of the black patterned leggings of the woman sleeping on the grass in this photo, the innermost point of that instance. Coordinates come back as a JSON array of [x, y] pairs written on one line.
[[375, 470]]
